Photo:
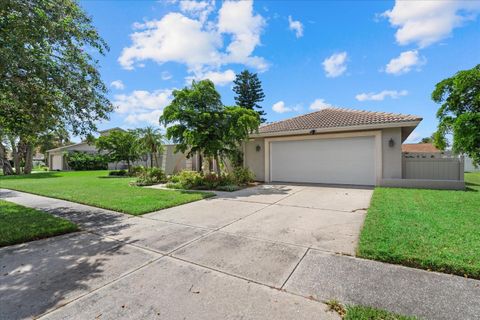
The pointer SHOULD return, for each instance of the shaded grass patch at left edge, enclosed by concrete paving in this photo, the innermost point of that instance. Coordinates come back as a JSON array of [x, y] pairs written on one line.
[[20, 224]]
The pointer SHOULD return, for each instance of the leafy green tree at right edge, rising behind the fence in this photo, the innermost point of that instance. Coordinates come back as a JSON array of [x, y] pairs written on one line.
[[459, 113]]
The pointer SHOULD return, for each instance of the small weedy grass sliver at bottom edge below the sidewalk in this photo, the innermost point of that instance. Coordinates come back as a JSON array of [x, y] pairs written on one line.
[[356, 312]]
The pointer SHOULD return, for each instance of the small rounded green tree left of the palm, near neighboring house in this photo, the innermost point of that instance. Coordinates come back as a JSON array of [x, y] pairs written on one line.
[[120, 145]]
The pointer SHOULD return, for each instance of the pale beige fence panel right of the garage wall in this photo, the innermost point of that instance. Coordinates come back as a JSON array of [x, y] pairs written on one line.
[[433, 168]]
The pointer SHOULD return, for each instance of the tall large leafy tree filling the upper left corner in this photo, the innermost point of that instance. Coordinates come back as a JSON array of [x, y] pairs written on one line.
[[48, 76]]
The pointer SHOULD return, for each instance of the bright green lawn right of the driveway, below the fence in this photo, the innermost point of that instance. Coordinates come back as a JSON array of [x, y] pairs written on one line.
[[429, 229]]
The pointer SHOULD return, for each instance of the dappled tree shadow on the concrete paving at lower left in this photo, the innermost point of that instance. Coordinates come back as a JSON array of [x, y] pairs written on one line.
[[39, 276]]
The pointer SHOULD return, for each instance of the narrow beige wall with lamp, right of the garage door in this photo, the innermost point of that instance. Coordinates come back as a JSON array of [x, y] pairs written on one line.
[[392, 156]]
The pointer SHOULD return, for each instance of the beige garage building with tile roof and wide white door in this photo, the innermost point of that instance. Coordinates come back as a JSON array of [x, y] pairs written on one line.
[[337, 146]]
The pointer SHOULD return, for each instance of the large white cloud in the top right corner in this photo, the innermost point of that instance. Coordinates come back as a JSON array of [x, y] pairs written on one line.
[[426, 22]]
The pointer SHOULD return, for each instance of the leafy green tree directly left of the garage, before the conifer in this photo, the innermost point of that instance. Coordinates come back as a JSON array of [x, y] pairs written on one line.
[[198, 122]]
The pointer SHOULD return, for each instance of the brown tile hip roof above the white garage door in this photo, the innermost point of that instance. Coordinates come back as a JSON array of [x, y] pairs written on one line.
[[333, 118]]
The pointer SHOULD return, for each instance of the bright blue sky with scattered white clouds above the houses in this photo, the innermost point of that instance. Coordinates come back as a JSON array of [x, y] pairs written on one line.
[[370, 55]]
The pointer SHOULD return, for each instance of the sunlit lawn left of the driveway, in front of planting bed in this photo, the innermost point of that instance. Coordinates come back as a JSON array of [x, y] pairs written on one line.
[[96, 189]]
